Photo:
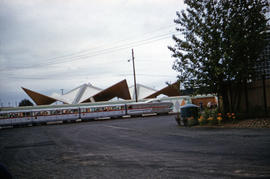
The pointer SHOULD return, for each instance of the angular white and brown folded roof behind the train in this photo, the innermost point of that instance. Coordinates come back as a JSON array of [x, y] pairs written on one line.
[[86, 93]]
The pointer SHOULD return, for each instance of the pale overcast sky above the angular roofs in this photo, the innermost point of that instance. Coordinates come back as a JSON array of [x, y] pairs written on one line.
[[48, 45]]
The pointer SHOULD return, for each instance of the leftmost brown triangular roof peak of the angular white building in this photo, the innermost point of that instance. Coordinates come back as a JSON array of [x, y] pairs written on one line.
[[38, 98]]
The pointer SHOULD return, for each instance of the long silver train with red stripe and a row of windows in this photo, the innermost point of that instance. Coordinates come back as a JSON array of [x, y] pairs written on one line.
[[22, 116]]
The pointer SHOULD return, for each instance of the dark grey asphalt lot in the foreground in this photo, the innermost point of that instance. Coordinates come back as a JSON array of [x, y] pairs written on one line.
[[151, 147]]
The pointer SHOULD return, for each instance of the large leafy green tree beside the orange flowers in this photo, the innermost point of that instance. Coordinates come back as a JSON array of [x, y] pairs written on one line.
[[220, 44]]
